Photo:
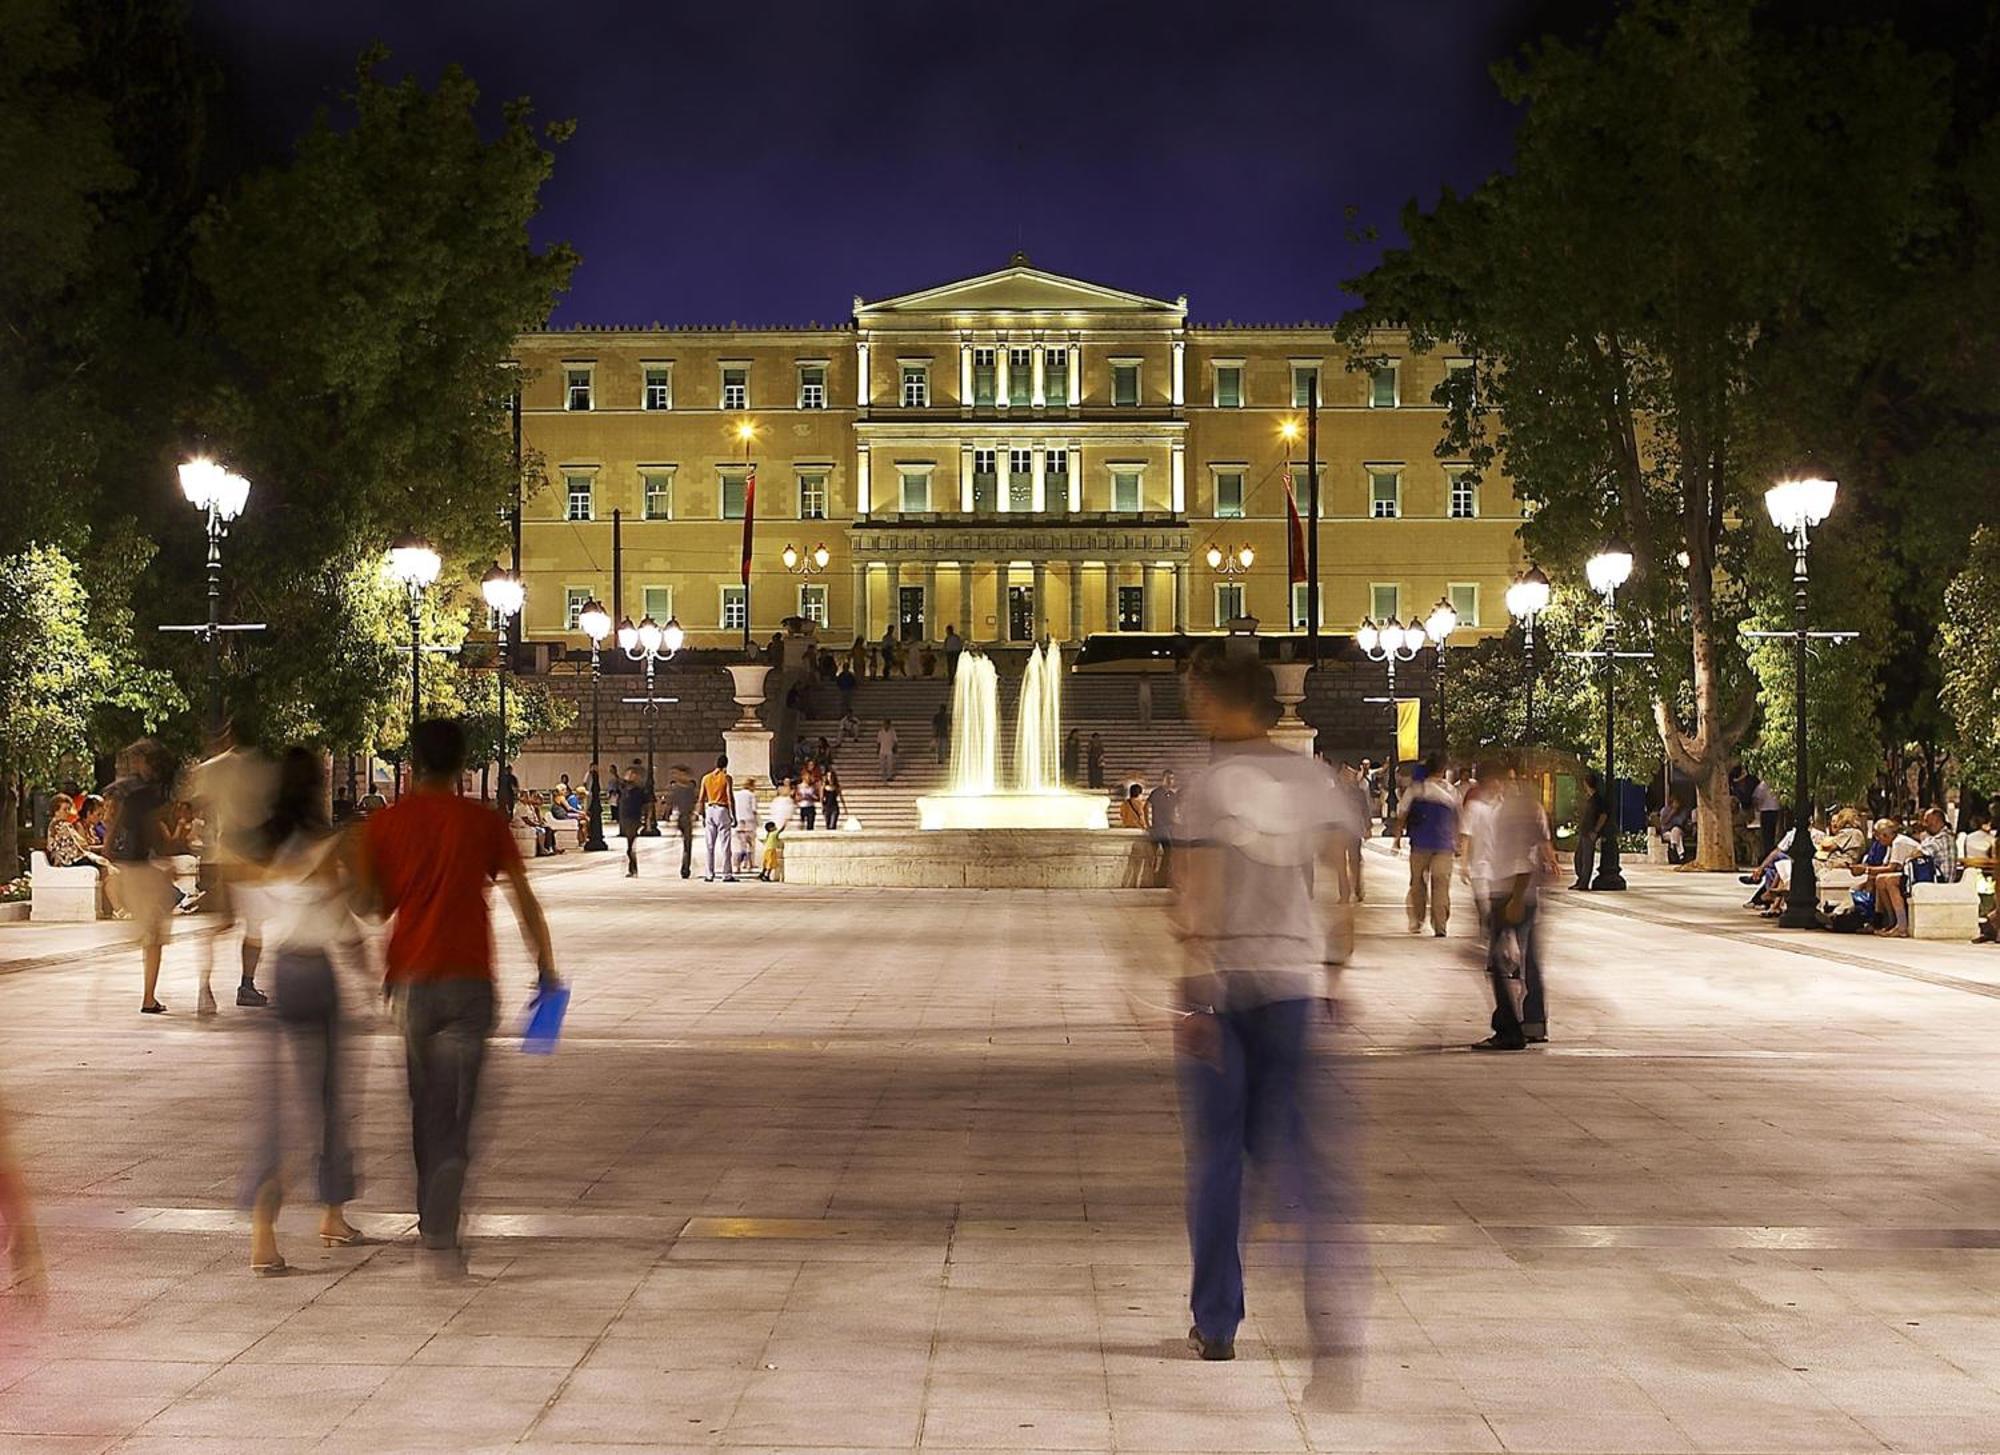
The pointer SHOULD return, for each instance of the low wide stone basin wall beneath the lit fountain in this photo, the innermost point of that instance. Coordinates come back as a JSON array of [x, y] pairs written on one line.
[[975, 860]]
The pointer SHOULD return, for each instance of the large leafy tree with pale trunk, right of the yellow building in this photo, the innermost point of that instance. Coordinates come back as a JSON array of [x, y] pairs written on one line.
[[1703, 223]]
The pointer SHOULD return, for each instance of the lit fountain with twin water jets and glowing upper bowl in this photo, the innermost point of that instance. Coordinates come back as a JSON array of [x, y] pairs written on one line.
[[1039, 800]]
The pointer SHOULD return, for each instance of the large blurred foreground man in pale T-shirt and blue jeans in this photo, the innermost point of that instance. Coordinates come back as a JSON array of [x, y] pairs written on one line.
[[1255, 1010]]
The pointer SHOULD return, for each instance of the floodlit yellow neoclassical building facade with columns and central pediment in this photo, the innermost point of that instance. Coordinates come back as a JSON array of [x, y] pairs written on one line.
[[1017, 455]]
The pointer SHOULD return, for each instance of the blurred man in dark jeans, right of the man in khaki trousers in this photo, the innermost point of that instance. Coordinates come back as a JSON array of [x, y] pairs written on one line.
[[1519, 856]]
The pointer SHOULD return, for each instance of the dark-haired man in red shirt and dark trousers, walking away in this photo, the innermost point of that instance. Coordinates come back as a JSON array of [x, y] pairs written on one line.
[[429, 862]]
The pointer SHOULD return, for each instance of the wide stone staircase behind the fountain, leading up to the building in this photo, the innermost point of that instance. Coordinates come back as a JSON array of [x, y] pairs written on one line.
[[1105, 705]]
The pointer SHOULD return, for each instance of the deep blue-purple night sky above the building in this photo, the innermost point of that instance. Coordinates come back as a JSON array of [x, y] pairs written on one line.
[[763, 163]]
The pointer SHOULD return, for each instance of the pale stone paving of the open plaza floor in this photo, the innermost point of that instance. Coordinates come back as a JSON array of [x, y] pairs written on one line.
[[867, 1170]]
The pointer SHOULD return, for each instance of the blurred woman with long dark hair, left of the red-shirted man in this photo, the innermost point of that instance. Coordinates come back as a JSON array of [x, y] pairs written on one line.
[[305, 888]]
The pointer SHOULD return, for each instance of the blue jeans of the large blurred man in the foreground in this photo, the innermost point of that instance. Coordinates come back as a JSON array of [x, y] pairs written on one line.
[[1273, 1102]]
